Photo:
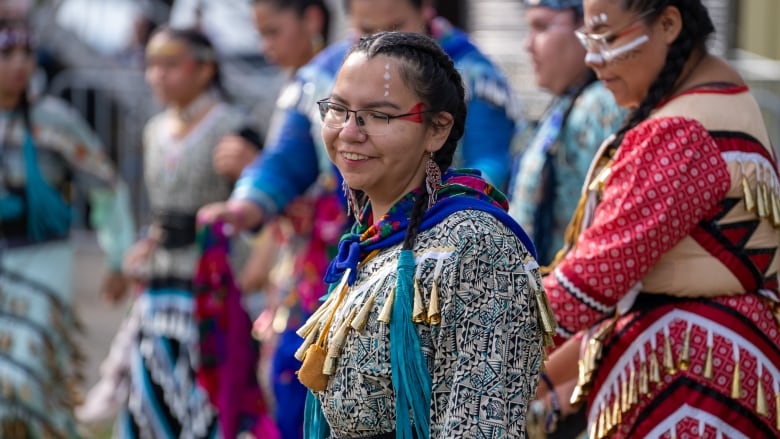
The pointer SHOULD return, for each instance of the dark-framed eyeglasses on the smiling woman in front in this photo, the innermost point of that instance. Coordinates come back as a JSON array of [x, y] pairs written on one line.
[[369, 122]]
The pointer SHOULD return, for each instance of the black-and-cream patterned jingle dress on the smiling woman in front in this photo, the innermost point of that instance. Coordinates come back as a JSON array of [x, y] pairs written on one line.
[[473, 312]]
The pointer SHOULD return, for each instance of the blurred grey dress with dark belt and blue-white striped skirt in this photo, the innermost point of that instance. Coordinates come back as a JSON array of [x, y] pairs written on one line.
[[164, 400]]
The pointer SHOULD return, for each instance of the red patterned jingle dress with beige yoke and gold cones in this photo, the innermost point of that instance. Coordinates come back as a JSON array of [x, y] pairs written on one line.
[[673, 281]]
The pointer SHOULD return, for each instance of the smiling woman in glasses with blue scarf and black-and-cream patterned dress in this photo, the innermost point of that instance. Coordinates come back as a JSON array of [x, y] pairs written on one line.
[[435, 319]]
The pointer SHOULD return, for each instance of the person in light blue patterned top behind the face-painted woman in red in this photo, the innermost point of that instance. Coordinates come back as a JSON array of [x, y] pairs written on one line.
[[550, 168]]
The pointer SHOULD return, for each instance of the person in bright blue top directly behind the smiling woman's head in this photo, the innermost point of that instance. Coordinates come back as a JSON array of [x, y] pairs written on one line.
[[294, 160]]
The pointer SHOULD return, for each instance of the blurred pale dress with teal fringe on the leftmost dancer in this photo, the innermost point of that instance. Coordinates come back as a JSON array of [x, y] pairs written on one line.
[[39, 357]]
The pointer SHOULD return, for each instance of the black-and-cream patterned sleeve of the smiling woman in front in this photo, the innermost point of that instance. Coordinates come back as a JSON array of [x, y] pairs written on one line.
[[487, 350]]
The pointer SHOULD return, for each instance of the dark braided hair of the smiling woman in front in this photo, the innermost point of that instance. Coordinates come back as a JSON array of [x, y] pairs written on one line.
[[430, 72]]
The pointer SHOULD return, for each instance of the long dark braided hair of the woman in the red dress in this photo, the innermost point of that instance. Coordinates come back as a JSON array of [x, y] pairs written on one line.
[[696, 28]]
